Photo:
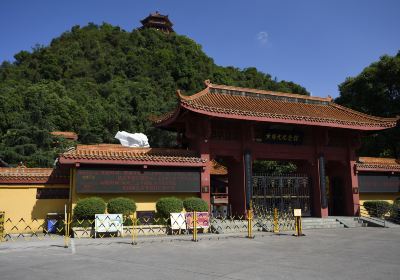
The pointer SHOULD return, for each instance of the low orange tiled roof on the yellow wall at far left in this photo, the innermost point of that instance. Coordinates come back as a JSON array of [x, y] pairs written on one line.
[[32, 175]]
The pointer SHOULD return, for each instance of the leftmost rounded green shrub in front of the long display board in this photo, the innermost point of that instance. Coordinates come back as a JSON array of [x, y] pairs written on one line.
[[87, 208]]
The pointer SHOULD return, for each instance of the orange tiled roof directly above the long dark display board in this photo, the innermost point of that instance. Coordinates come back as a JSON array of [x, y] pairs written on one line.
[[116, 152]]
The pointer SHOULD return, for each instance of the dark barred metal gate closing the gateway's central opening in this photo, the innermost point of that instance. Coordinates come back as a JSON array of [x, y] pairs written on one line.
[[284, 192]]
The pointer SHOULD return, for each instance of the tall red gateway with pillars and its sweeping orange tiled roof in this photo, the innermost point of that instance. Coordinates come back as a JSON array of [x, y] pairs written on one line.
[[241, 125]]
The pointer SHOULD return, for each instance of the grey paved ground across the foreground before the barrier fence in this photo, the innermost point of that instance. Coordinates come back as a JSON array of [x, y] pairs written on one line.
[[360, 253]]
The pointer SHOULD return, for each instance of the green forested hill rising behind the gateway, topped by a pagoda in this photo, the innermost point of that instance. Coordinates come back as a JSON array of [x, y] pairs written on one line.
[[96, 80]]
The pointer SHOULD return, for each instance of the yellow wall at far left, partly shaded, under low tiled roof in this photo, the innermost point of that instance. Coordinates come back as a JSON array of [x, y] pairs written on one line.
[[19, 202]]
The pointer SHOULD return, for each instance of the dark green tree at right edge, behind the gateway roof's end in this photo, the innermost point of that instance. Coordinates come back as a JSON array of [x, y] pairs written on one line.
[[376, 91]]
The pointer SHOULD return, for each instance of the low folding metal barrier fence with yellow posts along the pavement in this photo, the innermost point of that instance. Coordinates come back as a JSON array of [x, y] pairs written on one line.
[[191, 224]]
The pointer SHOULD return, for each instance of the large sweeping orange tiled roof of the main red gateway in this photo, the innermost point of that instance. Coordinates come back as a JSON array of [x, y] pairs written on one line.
[[268, 106]]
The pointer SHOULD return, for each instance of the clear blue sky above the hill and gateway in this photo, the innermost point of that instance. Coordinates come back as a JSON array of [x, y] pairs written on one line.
[[314, 43]]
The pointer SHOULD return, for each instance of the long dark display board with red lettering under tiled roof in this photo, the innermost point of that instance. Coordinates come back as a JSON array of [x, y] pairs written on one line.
[[116, 179]]
